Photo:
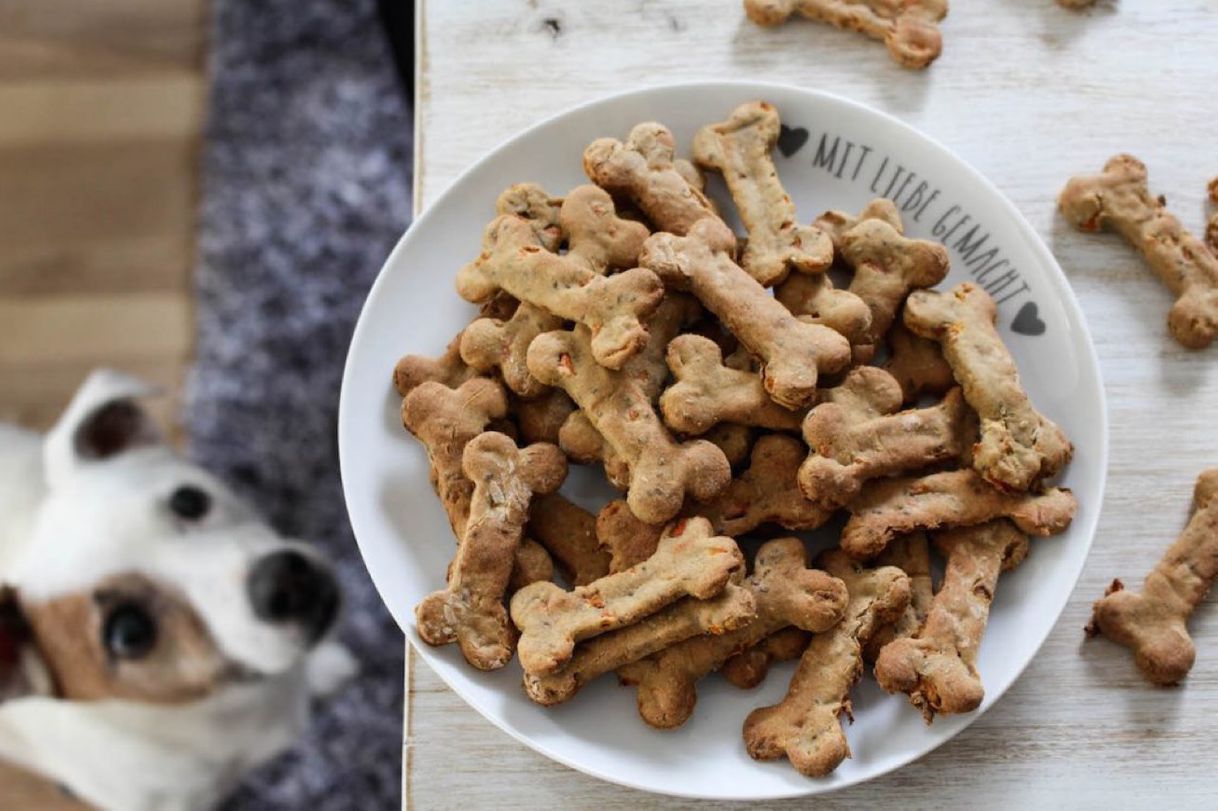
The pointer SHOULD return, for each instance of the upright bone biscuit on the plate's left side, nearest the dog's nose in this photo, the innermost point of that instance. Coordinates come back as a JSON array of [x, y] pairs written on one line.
[[470, 611]]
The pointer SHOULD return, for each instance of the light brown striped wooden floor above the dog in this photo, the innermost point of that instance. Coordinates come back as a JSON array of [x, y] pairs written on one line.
[[102, 110]]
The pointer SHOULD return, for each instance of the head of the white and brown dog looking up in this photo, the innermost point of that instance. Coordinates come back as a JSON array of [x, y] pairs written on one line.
[[143, 577]]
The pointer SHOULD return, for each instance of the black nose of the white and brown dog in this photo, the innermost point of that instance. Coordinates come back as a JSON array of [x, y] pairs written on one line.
[[288, 588]]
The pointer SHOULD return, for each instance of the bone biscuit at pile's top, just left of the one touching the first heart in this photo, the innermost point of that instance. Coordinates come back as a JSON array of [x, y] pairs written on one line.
[[645, 171]]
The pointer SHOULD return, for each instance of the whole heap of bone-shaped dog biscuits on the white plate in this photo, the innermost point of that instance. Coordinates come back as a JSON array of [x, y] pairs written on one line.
[[730, 390]]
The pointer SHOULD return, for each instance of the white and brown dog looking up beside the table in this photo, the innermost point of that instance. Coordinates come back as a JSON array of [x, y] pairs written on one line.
[[158, 640]]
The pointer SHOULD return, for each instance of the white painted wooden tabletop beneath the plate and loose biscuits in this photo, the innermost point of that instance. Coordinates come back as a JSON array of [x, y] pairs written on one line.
[[1030, 94]]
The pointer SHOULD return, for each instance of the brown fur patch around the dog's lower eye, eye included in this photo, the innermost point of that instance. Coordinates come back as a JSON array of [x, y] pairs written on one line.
[[128, 639]]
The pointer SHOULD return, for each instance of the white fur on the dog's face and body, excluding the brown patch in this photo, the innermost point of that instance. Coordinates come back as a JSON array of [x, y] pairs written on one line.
[[66, 523]]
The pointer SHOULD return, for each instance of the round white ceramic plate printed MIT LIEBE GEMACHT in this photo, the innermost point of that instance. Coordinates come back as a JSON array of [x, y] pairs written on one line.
[[834, 154]]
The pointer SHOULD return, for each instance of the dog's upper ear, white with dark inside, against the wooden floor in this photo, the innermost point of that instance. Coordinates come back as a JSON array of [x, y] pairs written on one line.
[[103, 421]]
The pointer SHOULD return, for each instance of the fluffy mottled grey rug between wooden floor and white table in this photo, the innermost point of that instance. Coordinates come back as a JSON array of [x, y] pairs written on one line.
[[306, 188]]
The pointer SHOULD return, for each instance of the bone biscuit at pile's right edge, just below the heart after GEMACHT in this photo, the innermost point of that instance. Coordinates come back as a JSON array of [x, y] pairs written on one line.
[[1019, 446]]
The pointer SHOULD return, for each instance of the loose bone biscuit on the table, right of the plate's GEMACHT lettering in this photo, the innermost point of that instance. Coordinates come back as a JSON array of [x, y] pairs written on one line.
[[1120, 200]]
